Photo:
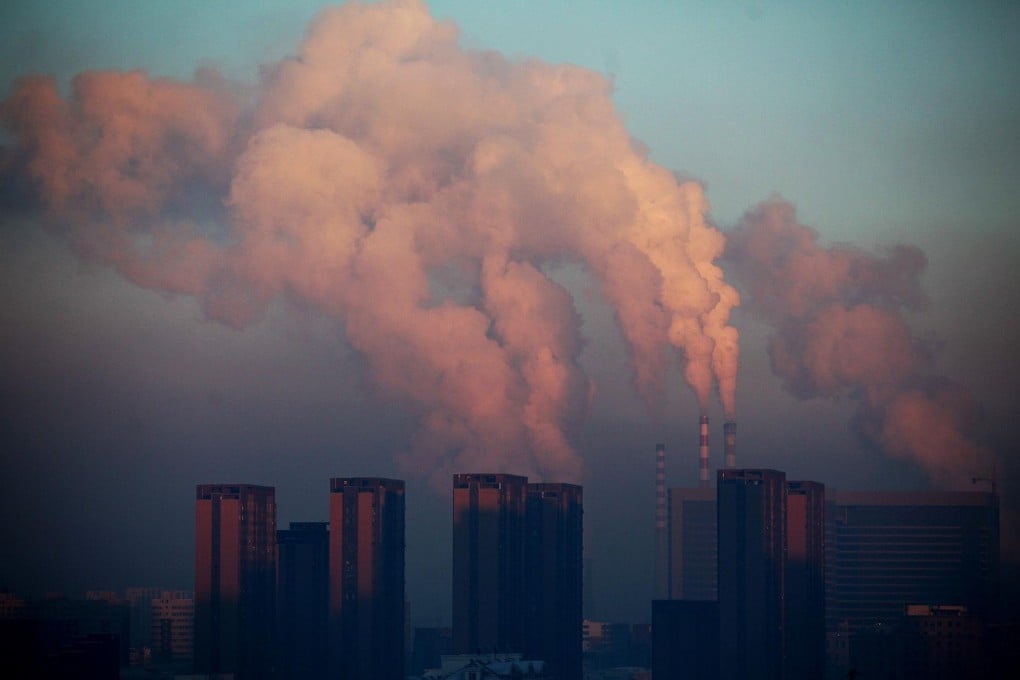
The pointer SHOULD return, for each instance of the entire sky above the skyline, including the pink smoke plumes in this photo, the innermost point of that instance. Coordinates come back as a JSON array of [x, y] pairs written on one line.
[[257, 243]]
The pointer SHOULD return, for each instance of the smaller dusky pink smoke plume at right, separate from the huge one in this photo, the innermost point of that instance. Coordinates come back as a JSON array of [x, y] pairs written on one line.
[[841, 334]]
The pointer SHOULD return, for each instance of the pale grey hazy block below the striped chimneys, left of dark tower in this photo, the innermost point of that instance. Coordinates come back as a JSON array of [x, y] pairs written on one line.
[[693, 571]]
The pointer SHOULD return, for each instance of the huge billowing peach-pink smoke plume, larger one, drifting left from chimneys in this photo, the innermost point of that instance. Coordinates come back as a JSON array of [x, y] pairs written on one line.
[[418, 193]]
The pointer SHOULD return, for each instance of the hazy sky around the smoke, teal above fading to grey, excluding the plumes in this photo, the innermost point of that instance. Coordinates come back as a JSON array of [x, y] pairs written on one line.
[[883, 124]]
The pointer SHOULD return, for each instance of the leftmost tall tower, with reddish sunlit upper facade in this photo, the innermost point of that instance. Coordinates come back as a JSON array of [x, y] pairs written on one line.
[[235, 580]]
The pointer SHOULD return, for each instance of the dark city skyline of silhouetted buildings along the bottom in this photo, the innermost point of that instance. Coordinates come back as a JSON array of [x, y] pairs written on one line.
[[773, 556]]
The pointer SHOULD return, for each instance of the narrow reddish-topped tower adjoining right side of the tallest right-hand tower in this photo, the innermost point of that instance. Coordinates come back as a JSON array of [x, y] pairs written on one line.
[[805, 608]]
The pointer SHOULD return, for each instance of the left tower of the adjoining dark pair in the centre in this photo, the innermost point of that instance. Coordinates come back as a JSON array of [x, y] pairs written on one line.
[[488, 563]]
